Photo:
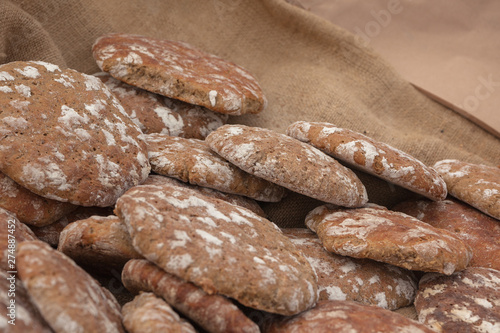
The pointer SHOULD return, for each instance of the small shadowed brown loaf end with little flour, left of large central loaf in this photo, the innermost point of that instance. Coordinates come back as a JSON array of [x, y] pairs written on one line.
[[100, 242]]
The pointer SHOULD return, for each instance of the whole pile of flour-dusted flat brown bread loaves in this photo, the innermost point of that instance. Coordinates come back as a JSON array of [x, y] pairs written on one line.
[[135, 170]]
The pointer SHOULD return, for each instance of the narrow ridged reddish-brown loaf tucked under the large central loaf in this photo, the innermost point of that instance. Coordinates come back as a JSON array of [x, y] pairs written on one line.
[[214, 313]]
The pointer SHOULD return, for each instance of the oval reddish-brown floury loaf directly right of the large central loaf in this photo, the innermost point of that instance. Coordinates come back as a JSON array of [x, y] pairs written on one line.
[[377, 233]]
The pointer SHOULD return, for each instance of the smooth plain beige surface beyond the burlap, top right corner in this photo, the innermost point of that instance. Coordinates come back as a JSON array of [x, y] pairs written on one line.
[[449, 49]]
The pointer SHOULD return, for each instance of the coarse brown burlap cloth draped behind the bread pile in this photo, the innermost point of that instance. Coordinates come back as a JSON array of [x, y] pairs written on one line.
[[308, 68]]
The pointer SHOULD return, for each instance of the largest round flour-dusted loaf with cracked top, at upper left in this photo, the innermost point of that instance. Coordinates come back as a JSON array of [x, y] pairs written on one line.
[[66, 137]]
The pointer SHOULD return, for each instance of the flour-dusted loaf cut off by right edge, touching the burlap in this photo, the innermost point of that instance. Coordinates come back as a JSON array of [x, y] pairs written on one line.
[[476, 184]]
